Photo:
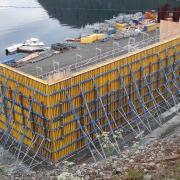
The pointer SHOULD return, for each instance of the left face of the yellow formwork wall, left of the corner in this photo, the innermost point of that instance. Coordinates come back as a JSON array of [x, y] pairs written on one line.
[[23, 108]]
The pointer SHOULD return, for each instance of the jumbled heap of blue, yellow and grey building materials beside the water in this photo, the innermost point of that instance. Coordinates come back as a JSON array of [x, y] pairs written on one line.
[[127, 25]]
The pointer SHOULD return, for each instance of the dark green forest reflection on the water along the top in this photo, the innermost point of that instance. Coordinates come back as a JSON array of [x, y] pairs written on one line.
[[78, 12]]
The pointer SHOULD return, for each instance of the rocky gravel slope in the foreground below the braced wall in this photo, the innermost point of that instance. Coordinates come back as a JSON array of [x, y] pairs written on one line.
[[156, 156]]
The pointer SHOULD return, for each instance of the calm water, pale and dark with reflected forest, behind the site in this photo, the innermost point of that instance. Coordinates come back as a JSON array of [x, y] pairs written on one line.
[[54, 20]]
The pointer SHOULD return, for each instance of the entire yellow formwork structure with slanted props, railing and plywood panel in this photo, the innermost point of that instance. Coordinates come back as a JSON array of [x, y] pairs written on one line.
[[121, 94]]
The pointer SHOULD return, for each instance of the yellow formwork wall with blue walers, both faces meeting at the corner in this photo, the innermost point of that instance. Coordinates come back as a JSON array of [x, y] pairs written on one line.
[[58, 112]]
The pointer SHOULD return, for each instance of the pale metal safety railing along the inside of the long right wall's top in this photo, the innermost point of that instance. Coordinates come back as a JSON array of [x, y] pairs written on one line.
[[102, 57]]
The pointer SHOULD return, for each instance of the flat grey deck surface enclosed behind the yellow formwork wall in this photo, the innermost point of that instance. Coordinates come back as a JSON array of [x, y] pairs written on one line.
[[82, 53]]
